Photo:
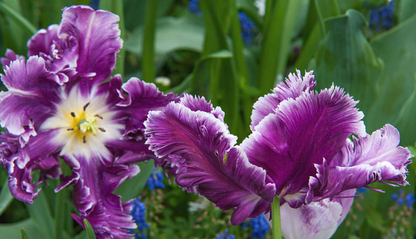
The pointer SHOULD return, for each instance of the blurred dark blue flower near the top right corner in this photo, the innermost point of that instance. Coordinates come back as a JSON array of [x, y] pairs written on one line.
[[382, 19]]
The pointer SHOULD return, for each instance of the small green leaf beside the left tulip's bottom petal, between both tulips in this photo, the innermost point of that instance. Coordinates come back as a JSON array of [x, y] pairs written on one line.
[[132, 188]]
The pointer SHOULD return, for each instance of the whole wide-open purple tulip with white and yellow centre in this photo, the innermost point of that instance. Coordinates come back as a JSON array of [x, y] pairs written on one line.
[[59, 105]]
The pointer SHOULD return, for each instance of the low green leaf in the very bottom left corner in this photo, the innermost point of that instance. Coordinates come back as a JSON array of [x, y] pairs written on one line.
[[13, 230]]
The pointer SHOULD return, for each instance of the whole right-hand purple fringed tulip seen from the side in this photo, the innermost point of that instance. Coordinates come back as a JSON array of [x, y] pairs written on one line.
[[299, 150]]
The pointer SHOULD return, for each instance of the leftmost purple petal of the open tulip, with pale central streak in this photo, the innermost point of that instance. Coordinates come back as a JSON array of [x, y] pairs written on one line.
[[32, 92]]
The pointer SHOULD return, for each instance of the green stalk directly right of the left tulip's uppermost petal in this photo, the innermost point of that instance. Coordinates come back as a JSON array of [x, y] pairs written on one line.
[[116, 7]]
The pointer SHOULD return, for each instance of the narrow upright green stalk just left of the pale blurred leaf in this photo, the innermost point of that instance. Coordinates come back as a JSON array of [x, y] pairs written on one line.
[[148, 65]]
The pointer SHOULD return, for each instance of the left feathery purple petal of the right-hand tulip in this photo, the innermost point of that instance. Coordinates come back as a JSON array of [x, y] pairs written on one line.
[[200, 147]]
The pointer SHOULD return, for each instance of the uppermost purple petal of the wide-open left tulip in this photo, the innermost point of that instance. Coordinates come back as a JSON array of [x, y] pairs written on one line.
[[98, 38]]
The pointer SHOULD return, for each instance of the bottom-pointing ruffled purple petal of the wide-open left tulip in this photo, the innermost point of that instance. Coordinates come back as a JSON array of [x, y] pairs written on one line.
[[94, 198]]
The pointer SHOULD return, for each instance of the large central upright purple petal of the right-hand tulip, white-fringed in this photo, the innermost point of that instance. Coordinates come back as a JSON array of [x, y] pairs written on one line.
[[301, 133]]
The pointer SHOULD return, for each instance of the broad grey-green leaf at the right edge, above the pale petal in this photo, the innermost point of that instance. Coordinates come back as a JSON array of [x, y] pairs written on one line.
[[397, 48]]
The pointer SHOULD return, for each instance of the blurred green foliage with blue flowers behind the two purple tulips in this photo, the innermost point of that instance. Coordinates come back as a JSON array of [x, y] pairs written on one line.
[[201, 51]]
